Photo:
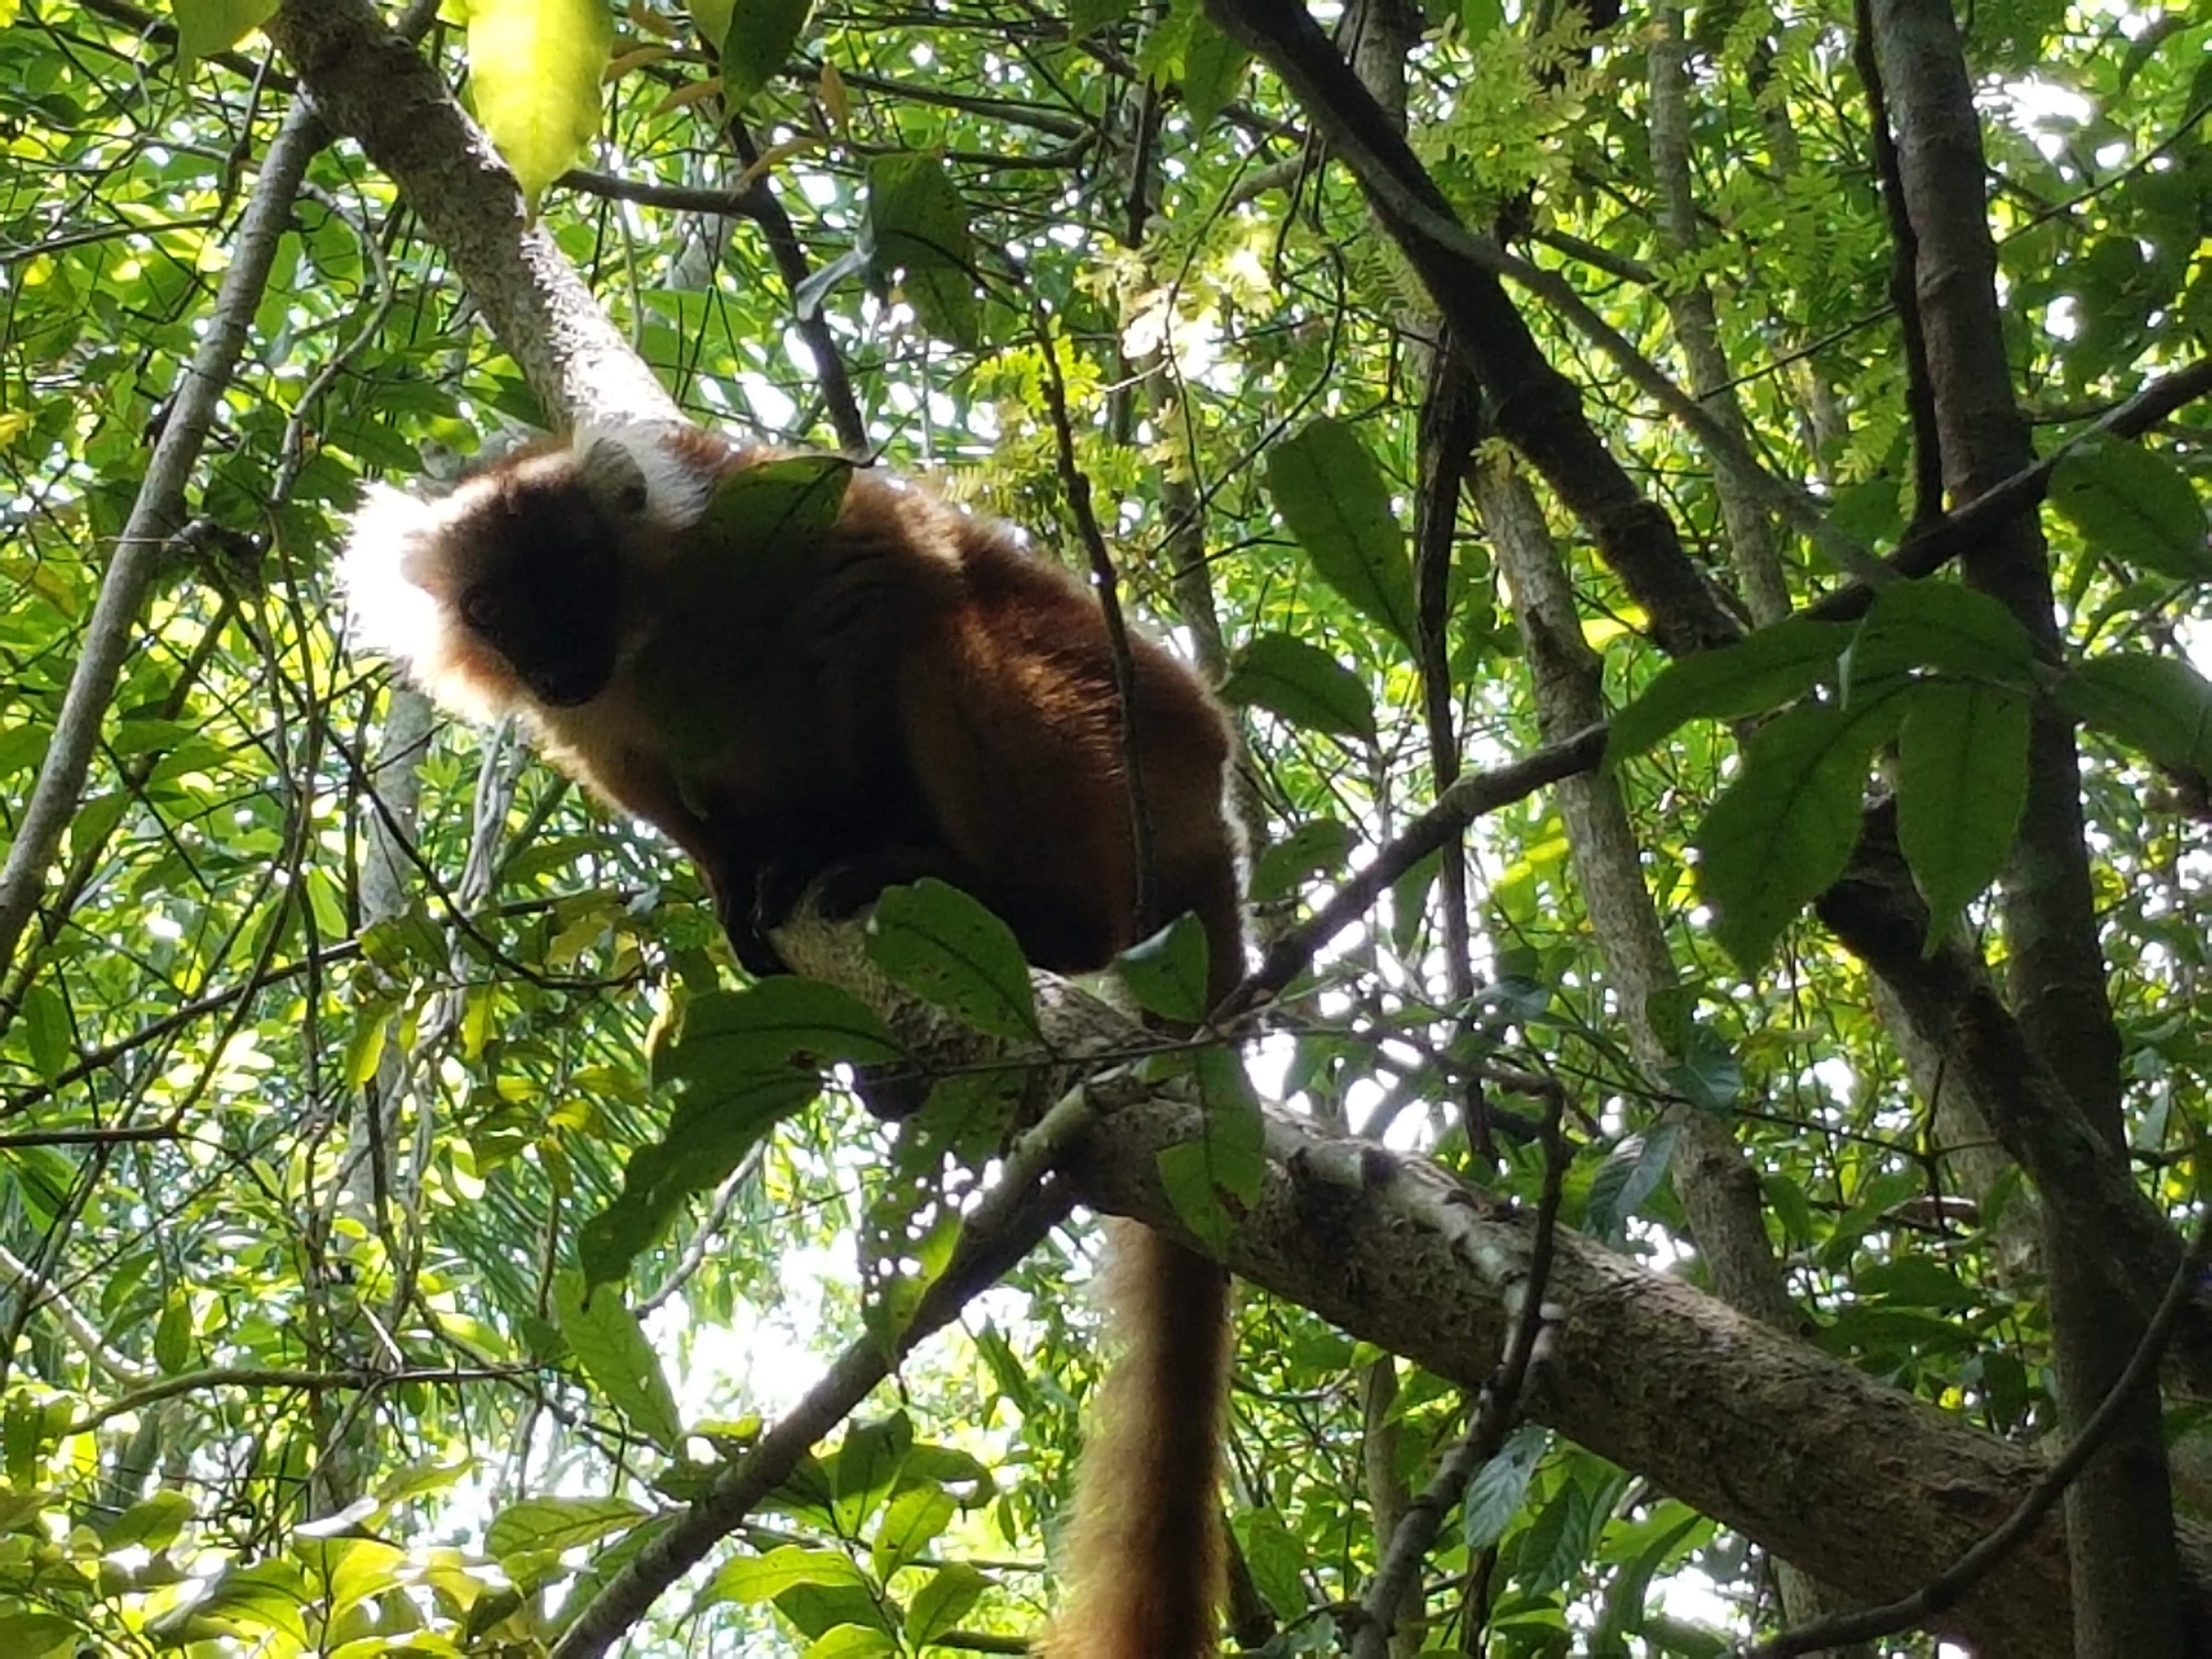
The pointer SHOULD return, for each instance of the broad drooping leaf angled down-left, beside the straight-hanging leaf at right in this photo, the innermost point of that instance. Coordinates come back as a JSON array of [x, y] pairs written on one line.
[[1784, 831]]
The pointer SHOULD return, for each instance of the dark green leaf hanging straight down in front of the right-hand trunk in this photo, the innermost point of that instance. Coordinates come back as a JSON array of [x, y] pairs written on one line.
[[1963, 784]]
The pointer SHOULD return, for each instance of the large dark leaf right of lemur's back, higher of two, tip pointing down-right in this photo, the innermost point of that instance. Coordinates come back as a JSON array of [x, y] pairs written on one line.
[[1331, 494]]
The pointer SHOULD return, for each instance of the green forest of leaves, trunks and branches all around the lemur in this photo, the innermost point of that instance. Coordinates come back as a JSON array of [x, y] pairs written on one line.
[[1698, 517]]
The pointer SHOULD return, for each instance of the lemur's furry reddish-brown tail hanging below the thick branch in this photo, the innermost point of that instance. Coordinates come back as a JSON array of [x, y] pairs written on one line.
[[1142, 1556]]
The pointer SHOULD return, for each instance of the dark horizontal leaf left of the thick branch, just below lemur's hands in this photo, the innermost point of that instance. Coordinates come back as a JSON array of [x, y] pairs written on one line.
[[769, 1027]]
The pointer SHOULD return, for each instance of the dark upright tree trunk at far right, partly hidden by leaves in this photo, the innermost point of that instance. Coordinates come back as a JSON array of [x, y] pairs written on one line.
[[2120, 1512]]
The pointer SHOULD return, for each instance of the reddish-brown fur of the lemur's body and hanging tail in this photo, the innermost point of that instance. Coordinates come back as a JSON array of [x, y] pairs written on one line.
[[941, 702]]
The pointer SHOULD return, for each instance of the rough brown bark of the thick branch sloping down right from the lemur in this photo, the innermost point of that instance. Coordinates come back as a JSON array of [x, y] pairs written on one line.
[[1804, 1454]]
